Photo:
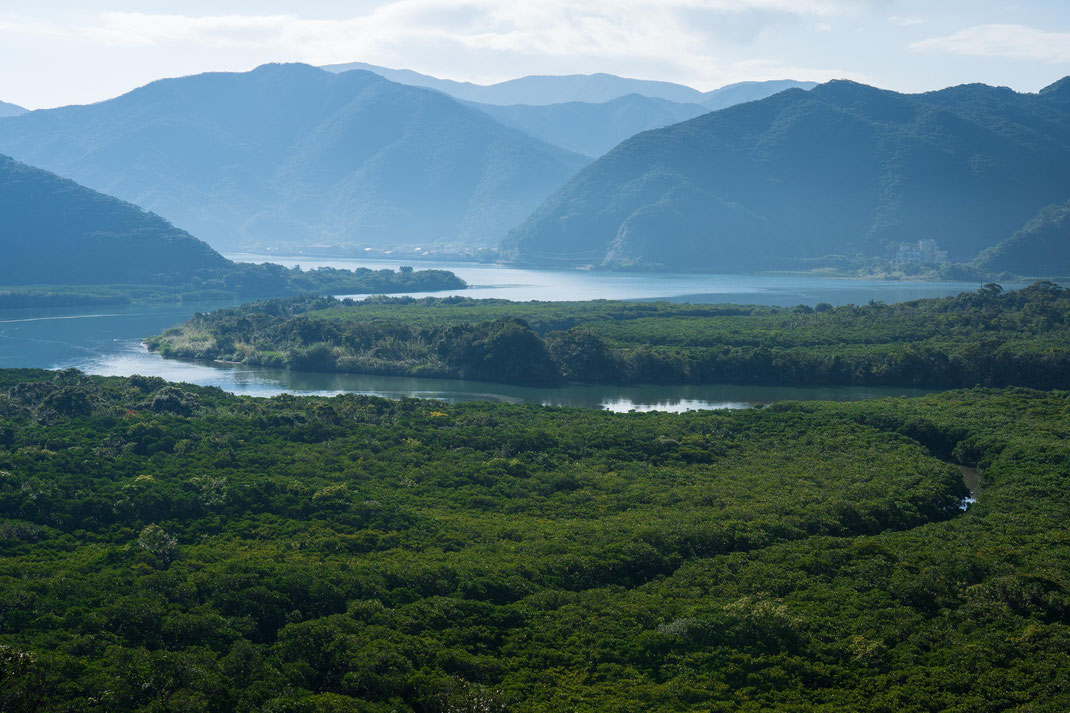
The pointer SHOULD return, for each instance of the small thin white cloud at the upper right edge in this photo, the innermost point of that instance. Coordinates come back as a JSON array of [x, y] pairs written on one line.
[[1008, 41]]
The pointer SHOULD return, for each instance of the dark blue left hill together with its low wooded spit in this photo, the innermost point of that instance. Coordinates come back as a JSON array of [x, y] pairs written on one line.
[[63, 244]]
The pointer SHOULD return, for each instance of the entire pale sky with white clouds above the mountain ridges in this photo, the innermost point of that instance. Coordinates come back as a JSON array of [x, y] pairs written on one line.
[[55, 53]]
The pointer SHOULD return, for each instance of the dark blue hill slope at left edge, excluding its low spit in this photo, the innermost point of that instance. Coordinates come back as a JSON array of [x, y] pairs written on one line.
[[56, 232]]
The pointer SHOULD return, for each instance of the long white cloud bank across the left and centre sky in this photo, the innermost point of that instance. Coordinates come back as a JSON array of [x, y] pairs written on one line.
[[481, 40]]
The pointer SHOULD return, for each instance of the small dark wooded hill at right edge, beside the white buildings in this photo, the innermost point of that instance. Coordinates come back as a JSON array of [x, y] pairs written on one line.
[[1042, 248]]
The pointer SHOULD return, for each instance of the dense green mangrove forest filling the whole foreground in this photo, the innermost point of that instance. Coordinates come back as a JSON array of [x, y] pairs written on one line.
[[171, 548]]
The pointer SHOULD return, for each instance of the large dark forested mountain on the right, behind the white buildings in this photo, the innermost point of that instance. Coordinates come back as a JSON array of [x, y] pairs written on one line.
[[842, 169]]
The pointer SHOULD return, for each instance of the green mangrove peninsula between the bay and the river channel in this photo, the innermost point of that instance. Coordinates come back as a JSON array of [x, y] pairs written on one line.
[[986, 338]]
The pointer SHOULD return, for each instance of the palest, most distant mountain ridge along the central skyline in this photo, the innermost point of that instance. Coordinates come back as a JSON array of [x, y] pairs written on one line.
[[592, 88]]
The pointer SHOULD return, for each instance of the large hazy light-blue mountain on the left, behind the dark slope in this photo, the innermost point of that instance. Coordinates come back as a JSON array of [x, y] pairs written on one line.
[[291, 153]]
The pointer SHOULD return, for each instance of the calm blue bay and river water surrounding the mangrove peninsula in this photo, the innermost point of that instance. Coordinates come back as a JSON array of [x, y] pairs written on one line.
[[106, 341]]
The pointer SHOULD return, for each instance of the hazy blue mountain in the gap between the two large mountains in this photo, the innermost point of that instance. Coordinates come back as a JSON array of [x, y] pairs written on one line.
[[593, 129]]
